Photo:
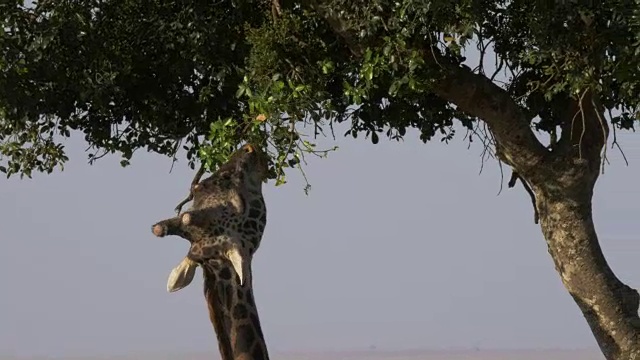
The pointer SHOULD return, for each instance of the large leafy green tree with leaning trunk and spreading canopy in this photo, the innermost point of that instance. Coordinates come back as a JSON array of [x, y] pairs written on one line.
[[207, 76]]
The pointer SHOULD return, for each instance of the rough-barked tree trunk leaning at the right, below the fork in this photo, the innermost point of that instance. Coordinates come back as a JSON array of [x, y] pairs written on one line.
[[610, 307]]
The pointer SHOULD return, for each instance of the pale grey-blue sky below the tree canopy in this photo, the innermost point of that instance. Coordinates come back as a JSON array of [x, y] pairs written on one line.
[[398, 245]]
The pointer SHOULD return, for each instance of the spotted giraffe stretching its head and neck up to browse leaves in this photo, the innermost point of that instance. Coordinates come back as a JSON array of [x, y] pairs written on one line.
[[224, 227]]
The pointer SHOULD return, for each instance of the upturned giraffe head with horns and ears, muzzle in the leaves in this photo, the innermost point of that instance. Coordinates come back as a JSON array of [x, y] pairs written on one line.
[[226, 219]]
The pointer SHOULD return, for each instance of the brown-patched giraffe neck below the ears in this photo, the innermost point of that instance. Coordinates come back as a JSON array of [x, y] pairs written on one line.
[[234, 315]]
